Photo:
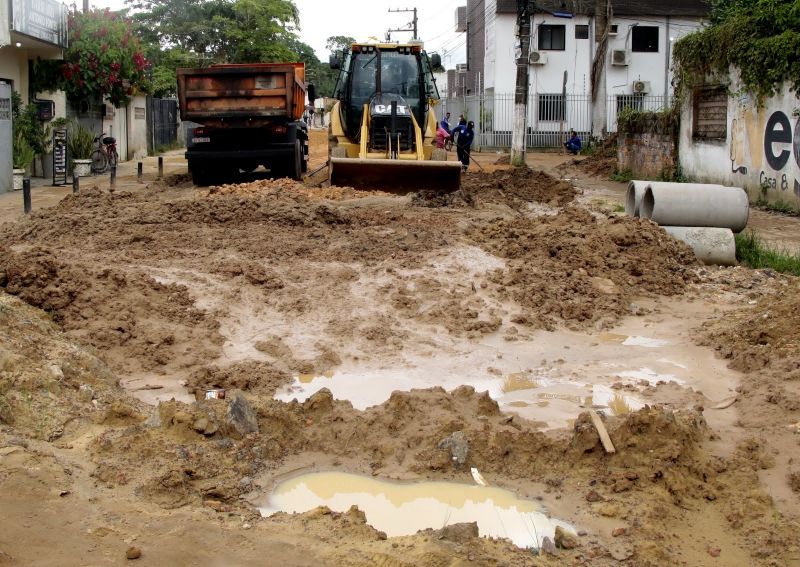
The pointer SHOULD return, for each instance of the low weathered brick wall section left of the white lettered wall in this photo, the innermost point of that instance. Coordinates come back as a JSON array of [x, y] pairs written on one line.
[[647, 156]]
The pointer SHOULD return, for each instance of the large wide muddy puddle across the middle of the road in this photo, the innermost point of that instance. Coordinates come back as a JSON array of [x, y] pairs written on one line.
[[550, 377]]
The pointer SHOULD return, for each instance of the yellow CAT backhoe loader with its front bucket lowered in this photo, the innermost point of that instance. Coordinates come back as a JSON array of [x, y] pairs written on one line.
[[383, 125]]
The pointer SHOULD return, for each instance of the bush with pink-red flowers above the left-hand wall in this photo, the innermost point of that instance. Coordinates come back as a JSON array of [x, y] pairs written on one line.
[[104, 58]]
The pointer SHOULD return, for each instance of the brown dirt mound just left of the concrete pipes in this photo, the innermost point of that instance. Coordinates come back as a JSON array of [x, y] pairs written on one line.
[[583, 270]]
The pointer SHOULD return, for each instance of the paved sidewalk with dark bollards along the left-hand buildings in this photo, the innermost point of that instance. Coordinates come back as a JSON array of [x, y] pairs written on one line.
[[44, 194]]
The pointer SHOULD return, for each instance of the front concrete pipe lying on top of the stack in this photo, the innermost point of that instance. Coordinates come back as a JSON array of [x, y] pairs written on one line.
[[695, 204]]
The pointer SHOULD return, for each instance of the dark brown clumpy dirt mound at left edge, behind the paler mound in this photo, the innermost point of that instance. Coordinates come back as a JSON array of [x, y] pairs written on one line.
[[144, 331]]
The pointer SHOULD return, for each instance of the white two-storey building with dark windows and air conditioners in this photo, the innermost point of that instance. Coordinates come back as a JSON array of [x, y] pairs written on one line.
[[564, 43]]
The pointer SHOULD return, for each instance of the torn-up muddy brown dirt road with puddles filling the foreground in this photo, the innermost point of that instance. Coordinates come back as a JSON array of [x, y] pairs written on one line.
[[470, 339]]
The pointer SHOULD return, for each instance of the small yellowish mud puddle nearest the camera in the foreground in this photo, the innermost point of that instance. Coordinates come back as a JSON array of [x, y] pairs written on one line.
[[399, 509]]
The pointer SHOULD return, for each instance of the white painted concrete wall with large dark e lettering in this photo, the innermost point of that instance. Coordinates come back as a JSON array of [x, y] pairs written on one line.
[[761, 148]]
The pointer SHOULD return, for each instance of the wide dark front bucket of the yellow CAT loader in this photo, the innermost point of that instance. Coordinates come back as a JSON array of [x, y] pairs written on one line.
[[396, 175]]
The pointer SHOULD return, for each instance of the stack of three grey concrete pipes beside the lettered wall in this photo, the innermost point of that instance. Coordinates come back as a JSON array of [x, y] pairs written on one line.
[[704, 216]]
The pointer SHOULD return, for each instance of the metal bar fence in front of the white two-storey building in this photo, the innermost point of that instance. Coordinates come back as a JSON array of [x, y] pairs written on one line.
[[550, 116]]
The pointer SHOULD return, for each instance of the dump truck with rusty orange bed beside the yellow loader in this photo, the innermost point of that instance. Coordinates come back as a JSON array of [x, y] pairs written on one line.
[[249, 116]]
